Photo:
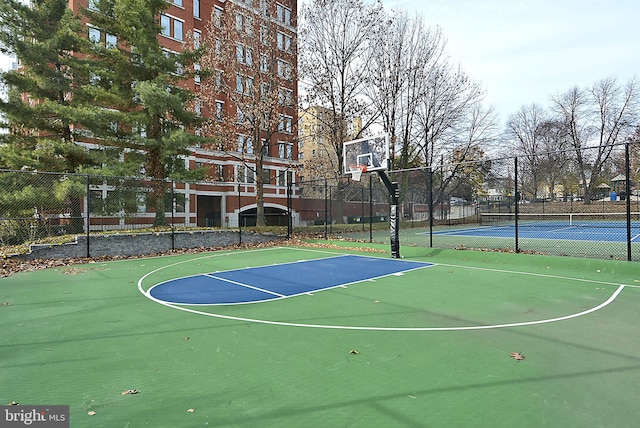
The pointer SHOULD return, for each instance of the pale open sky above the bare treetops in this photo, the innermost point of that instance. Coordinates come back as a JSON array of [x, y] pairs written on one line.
[[524, 51]]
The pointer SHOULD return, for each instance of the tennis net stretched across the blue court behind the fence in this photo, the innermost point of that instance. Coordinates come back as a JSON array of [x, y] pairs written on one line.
[[556, 220]]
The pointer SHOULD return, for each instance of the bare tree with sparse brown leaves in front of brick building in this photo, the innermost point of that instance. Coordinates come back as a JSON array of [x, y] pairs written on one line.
[[251, 63]]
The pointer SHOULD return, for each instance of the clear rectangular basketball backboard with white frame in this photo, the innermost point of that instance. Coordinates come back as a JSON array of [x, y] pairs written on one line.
[[366, 154]]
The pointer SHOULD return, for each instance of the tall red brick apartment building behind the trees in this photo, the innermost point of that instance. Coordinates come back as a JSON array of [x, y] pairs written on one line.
[[229, 195]]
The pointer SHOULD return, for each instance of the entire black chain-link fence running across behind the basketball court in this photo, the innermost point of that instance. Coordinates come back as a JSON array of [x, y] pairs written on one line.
[[551, 203]]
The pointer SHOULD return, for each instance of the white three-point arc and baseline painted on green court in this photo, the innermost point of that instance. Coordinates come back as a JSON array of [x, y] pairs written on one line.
[[371, 328]]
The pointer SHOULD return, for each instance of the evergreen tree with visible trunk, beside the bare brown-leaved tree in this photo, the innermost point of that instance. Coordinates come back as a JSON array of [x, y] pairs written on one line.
[[148, 109]]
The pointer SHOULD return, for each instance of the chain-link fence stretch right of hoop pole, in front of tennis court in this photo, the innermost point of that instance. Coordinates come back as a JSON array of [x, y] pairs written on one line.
[[561, 203]]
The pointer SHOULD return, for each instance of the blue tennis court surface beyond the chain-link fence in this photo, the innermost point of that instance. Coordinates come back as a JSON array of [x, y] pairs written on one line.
[[564, 232]]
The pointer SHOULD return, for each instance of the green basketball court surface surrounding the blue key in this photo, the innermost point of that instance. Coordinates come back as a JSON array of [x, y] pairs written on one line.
[[427, 348]]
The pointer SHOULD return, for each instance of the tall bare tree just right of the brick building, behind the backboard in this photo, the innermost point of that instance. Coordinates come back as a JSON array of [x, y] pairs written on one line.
[[334, 52]]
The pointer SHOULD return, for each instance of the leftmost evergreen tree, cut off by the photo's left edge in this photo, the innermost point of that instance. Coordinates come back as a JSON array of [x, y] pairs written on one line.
[[39, 107]]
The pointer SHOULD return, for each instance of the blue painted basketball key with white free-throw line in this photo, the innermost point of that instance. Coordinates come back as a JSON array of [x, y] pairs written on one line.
[[264, 283]]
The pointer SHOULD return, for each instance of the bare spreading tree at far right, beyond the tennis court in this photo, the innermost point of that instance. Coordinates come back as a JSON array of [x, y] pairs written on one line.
[[597, 119]]
